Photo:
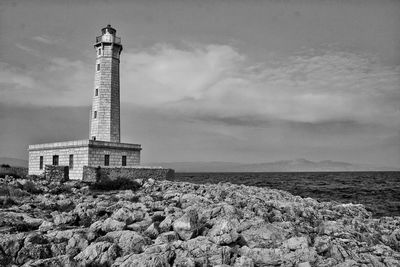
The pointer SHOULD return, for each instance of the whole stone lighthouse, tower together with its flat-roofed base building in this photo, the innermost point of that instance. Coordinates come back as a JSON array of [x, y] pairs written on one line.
[[104, 147]]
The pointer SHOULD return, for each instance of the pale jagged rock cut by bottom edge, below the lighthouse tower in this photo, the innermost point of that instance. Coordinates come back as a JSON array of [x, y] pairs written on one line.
[[98, 254]]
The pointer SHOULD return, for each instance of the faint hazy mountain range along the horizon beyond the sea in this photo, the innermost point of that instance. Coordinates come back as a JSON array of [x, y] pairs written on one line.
[[297, 165]]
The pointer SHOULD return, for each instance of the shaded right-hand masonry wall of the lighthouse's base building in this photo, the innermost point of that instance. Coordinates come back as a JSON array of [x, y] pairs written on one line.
[[97, 155]]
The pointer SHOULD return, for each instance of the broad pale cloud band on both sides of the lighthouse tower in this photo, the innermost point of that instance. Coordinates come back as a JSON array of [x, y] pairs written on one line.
[[218, 83]]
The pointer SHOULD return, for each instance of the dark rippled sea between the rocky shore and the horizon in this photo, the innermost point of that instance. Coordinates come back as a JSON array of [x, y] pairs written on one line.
[[378, 191]]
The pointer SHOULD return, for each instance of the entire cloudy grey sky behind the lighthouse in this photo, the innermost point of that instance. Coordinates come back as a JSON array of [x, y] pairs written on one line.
[[236, 81]]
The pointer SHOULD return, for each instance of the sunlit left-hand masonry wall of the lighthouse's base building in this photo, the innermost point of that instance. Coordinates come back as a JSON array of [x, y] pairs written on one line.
[[80, 160]]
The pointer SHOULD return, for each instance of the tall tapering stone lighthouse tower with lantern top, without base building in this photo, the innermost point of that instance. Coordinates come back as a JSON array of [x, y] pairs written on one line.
[[105, 113]]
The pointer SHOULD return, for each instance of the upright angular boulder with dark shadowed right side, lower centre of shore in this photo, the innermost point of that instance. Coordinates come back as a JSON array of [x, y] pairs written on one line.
[[188, 225]]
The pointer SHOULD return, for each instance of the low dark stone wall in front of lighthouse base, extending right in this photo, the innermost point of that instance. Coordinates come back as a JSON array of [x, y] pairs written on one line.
[[93, 174]]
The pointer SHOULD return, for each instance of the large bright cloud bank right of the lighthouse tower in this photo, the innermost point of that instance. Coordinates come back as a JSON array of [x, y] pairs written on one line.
[[217, 82]]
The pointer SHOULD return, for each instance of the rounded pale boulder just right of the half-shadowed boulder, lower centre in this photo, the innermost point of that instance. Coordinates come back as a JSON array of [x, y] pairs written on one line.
[[223, 232]]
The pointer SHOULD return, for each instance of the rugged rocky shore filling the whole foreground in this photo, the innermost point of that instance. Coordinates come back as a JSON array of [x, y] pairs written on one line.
[[164, 223]]
